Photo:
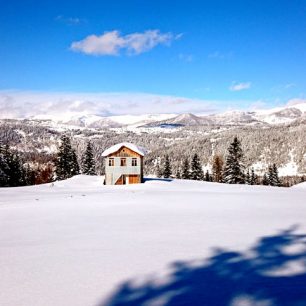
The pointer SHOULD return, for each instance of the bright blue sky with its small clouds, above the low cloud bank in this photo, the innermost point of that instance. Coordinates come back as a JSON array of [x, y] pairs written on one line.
[[236, 53]]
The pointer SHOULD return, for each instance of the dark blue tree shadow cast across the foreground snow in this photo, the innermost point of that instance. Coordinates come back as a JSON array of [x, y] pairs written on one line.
[[273, 272]]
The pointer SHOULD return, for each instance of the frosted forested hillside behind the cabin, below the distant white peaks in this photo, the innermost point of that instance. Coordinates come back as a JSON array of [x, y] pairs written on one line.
[[284, 145]]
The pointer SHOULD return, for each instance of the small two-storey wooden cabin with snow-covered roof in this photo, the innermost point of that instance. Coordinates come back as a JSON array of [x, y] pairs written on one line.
[[123, 164]]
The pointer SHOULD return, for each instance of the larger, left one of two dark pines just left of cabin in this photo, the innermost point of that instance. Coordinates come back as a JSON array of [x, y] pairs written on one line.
[[66, 161]]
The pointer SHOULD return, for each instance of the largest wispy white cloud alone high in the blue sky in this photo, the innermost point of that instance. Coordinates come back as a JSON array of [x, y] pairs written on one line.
[[111, 43]]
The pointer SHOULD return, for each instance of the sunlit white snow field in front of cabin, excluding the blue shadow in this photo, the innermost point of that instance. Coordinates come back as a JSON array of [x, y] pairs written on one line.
[[75, 242]]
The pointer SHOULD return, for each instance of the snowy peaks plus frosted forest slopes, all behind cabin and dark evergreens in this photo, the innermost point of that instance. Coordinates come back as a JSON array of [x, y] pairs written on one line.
[[268, 136]]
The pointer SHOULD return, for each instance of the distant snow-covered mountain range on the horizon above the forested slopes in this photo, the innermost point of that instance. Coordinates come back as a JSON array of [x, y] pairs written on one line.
[[274, 116]]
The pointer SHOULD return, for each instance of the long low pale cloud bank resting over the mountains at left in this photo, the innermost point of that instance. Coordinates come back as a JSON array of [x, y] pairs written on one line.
[[18, 104]]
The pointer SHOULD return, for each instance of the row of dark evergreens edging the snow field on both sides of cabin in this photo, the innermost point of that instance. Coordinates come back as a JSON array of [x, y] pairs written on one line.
[[232, 170]]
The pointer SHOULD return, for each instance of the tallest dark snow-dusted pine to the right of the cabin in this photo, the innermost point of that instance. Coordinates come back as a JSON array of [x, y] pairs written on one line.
[[234, 168]]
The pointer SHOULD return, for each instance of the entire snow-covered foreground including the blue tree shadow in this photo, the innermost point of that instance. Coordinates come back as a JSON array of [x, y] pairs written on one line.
[[78, 242]]
